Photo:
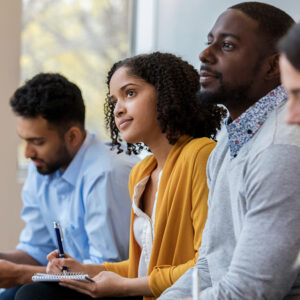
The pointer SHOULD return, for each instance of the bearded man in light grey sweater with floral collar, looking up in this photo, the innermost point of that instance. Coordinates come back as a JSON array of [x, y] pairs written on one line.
[[251, 242]]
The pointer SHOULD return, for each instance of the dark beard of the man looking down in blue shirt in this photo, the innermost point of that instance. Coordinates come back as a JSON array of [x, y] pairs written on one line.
[[63, 160]]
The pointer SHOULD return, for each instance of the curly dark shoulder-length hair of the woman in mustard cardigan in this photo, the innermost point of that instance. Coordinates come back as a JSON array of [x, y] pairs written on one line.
[[179, 112]]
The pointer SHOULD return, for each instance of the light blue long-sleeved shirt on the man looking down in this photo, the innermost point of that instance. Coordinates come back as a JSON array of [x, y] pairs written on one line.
[[91, 202]]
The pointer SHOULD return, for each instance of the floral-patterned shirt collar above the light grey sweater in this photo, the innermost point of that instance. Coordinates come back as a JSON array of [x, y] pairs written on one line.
[[242, 129]]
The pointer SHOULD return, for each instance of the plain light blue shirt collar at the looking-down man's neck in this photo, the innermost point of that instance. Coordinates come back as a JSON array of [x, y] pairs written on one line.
[[72, 171]]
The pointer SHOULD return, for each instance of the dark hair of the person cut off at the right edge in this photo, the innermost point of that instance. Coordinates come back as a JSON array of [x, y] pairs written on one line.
[[290, 46]]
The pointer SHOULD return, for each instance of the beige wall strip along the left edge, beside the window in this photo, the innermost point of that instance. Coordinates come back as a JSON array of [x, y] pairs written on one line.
[[10, 204]]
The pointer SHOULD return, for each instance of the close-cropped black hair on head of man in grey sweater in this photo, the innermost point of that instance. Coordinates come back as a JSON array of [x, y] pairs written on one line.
[[273, 22]]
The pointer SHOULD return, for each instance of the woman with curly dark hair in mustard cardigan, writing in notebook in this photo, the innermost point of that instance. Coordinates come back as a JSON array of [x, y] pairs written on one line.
[[152, 103]]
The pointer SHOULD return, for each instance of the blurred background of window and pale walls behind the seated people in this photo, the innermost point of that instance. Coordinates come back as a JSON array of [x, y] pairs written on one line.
[[81, 39]]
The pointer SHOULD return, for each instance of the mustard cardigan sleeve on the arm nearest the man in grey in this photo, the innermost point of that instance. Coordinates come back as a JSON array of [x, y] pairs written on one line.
[[164, 276]]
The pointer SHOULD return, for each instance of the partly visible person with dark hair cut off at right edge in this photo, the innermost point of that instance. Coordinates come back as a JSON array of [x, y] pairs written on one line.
[[290, 72]]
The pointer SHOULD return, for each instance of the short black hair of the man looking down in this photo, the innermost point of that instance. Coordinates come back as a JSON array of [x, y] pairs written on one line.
[[53, 97]]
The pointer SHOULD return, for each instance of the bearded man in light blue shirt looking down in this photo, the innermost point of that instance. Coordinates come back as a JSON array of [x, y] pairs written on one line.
[[73, 179]]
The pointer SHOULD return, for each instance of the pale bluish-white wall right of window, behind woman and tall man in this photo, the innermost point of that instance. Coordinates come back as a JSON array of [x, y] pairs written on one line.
[[181, 26]]
